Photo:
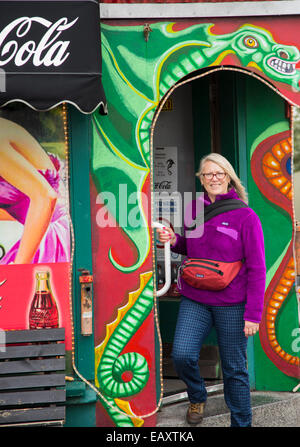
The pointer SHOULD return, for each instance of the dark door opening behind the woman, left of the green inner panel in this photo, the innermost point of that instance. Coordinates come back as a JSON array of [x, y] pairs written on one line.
[[199, 117]]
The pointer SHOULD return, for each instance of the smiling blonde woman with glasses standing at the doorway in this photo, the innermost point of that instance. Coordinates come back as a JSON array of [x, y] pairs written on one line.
[[234, 311]]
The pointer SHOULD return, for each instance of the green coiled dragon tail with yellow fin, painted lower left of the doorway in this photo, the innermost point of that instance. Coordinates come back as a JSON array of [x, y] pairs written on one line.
[[112, 368]]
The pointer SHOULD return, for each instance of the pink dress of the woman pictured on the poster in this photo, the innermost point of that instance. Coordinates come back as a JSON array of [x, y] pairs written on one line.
[[55, 245]]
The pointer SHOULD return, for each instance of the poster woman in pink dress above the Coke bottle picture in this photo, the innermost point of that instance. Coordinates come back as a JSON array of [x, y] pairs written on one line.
[[30, 194]]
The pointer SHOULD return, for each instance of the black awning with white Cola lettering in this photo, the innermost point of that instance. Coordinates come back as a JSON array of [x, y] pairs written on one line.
[[50, 52]]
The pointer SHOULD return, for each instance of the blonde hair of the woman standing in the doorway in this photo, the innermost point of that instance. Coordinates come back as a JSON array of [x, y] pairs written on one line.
[[235, 182]]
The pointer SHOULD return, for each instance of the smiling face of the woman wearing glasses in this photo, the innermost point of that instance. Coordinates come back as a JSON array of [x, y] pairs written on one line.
[[214, 184]]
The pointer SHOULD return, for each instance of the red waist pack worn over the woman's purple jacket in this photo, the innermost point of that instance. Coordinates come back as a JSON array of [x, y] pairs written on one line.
[[208, 274]]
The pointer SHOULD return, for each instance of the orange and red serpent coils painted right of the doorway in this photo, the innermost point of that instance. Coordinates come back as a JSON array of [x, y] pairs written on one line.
[[271, 170]]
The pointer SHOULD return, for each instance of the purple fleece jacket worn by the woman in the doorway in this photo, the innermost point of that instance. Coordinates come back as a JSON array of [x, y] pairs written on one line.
[[229, 237]]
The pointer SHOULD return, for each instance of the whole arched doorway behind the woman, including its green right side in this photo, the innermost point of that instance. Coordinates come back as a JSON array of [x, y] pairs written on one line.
[[224, 111]]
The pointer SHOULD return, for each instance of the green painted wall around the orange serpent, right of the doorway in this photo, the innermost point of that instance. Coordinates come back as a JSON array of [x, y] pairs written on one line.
[[265, 111]]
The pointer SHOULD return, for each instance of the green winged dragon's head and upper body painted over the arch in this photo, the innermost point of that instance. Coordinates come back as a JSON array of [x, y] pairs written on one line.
[[138, 78]]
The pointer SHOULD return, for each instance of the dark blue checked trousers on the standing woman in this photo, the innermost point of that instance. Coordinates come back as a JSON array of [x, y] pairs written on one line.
[[194, 323]]
